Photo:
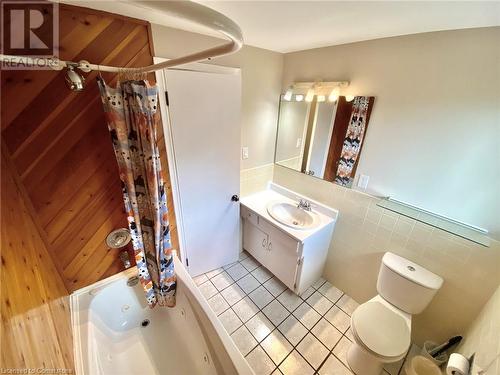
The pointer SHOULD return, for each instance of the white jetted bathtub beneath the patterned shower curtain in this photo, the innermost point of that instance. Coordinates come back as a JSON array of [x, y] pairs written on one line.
[[115, 332]]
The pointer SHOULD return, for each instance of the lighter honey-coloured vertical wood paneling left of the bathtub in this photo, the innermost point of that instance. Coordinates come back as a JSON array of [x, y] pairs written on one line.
[[35, 327]]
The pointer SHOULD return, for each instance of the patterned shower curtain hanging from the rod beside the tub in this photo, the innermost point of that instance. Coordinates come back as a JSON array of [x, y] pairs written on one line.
[[133, 118]]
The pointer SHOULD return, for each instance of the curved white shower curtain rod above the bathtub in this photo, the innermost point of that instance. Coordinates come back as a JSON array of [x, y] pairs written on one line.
[[187, 10]]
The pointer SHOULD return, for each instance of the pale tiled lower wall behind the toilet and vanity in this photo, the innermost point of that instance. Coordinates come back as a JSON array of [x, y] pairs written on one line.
[[364, 232]]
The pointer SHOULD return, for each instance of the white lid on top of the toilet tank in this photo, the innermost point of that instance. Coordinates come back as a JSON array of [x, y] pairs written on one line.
[[412, 271]]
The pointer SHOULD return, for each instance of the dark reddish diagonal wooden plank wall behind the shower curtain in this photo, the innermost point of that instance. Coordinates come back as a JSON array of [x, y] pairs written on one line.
[[58, 144]]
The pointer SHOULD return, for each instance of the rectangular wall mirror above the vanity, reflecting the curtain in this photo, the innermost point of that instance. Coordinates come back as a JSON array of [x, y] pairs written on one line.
[[322, 138]]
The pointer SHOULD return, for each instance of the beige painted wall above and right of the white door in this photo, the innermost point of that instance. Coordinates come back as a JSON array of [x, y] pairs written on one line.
[[261, 74]]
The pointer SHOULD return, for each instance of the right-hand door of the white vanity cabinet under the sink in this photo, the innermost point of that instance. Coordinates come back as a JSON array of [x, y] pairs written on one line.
[[283, 258]]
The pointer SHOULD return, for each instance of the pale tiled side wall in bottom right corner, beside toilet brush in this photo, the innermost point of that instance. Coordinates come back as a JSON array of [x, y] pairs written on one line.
[[483, 335]]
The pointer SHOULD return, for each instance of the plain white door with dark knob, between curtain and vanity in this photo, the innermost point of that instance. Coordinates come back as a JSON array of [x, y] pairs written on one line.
[[204, 136]]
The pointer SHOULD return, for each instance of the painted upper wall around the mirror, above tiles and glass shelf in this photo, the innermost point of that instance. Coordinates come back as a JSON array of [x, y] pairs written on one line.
[[434, 133]]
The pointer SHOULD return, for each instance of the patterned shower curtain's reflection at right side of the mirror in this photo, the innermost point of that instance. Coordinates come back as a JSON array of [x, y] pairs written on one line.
[[353, 140]]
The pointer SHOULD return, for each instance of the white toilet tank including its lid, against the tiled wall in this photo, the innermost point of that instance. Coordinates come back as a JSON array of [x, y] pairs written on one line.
[[406, 285]]
